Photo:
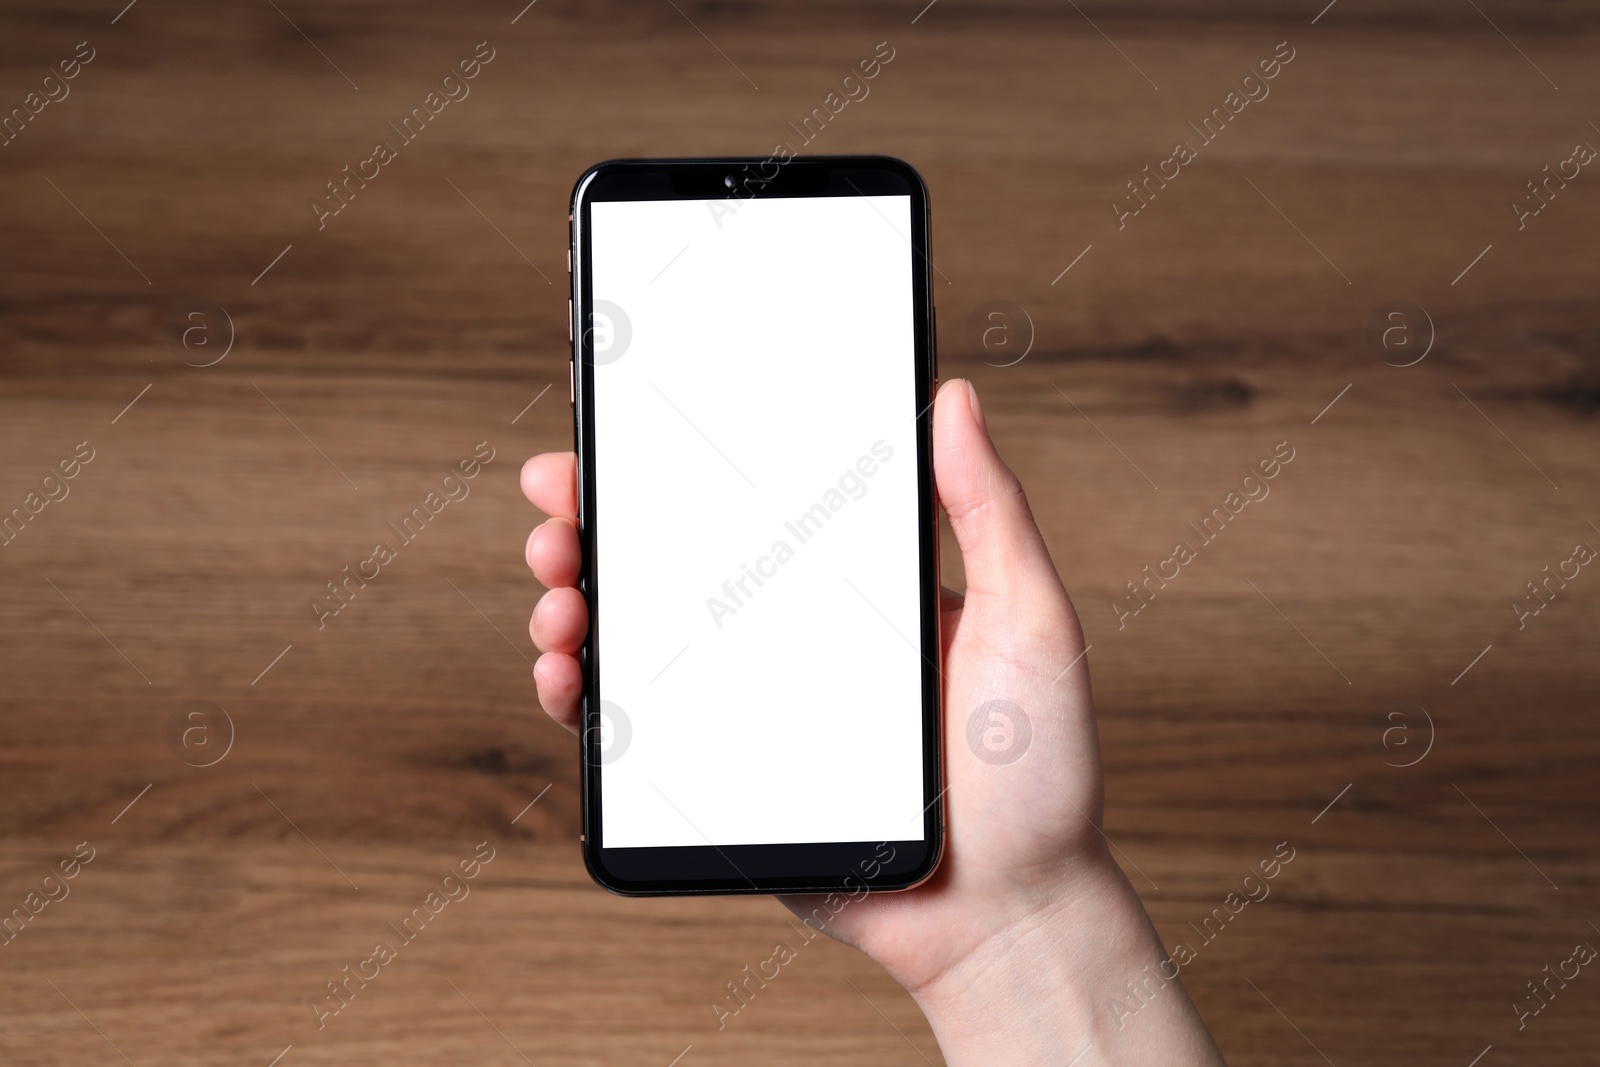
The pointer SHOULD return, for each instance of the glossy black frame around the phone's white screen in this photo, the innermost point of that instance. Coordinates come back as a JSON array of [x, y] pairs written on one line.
[[815, 868]]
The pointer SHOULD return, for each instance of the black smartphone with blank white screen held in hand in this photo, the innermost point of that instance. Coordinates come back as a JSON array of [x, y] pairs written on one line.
[[753, 378]]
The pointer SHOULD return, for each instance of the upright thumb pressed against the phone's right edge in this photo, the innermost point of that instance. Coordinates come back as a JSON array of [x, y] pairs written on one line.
[[1002, 549]]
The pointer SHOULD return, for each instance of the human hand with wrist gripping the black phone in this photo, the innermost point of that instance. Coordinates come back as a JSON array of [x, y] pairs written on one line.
[[1026, 932]]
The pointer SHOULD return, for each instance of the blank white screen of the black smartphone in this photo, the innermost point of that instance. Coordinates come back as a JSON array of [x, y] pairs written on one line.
[[769, 372]]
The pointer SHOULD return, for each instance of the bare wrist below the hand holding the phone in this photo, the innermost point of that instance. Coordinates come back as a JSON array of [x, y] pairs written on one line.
[[1082, 975]]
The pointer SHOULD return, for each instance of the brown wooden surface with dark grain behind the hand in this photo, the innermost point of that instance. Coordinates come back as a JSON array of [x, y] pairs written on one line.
[[409, 330]]
